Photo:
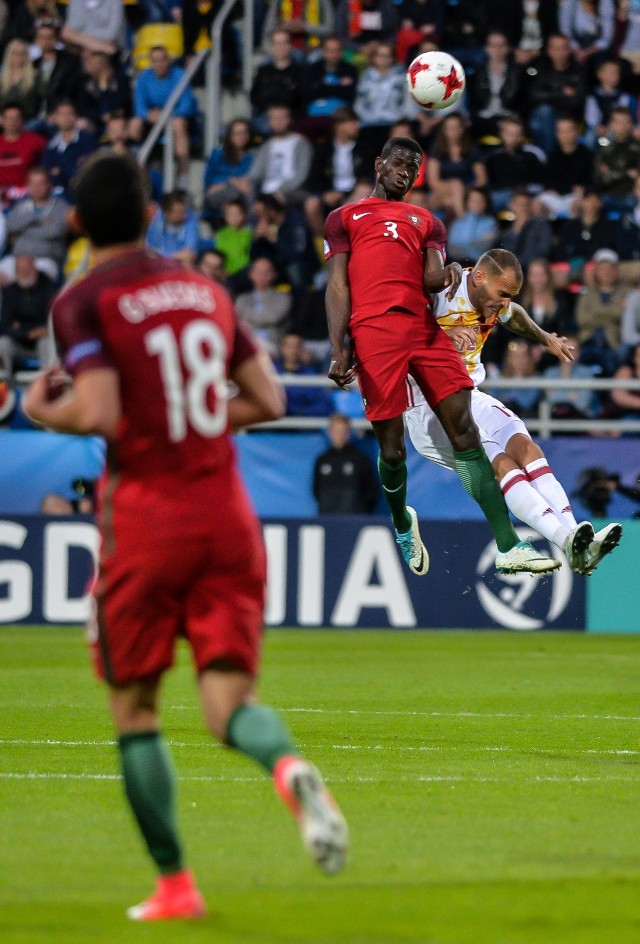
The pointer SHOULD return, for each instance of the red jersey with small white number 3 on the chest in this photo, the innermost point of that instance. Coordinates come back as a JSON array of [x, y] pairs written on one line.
[[386, 241]]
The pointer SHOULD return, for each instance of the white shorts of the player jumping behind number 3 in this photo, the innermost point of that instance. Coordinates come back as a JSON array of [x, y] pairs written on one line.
[[496, 425]]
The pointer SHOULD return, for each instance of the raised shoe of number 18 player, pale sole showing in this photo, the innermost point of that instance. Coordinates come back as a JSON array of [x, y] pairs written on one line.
[[323, 827]]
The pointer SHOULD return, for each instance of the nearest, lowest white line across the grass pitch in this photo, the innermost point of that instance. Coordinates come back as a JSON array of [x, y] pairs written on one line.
[[37, 775]]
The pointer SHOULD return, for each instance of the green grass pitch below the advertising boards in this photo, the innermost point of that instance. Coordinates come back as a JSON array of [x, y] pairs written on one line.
[[491, 782]]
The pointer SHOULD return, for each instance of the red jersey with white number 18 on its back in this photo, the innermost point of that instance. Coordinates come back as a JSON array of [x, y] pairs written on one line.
[[172, 336]]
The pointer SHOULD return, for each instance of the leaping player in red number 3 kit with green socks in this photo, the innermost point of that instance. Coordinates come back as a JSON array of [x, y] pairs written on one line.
[[385, 258]]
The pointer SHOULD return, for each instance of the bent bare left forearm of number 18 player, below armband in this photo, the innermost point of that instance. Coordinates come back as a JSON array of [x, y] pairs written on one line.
[[90, 405]]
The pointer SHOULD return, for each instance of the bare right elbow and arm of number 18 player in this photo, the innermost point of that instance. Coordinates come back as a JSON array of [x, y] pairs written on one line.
[[260, 396]]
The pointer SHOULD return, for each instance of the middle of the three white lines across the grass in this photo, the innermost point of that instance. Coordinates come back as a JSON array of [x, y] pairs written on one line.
[[439, 748]]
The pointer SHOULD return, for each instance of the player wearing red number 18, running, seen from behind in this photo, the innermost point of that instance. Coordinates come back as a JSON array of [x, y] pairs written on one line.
[[150, 347]]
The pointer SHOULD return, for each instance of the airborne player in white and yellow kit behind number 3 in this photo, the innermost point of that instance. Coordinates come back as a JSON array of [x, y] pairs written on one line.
[[530, 488]]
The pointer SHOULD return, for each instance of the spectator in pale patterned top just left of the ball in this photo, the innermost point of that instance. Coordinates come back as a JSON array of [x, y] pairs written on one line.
[[381, 98]]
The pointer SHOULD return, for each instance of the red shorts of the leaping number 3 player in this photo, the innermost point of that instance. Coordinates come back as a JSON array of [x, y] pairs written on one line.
[[388, 348]]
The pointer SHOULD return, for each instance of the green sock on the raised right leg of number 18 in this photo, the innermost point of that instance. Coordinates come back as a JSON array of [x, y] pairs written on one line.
[[260, 733]]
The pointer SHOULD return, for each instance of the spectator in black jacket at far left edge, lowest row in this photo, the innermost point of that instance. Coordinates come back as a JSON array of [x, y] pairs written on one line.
[[24, 313]]
